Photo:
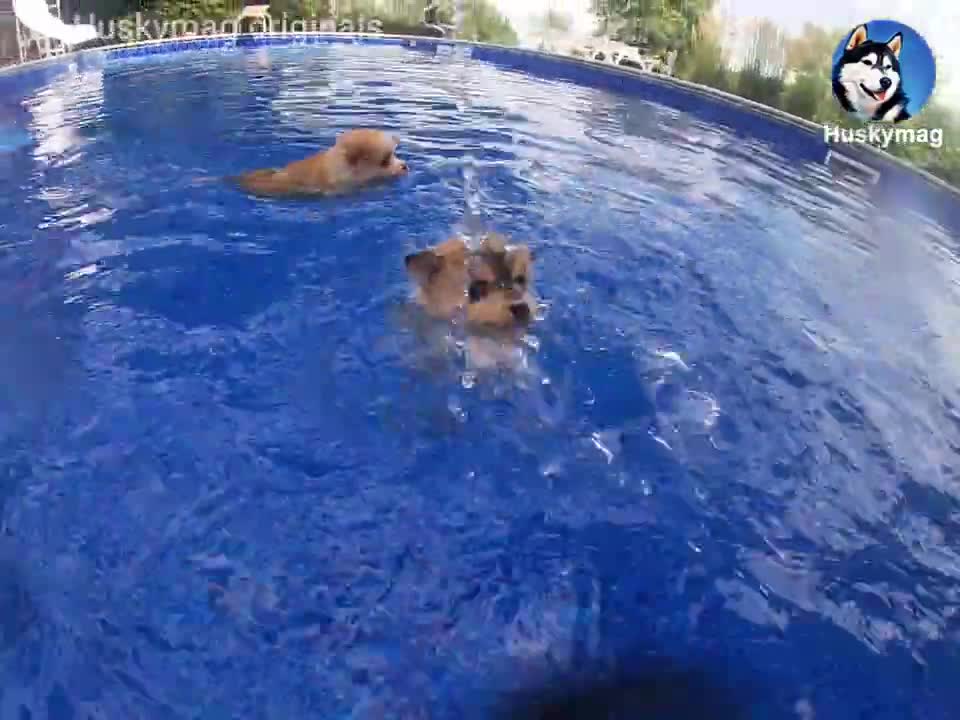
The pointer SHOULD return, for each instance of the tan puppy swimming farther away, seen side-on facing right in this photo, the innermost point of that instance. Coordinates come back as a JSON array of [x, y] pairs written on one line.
[[359, 158]]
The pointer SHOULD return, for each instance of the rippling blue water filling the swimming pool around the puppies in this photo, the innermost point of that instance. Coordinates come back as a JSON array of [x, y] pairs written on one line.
[[233, 484]]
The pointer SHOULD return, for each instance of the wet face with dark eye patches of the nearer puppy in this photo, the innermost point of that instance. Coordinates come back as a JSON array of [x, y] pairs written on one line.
[[499, 282]]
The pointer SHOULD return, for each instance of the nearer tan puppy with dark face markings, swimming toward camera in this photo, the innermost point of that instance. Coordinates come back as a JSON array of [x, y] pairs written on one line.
[[489, 290]]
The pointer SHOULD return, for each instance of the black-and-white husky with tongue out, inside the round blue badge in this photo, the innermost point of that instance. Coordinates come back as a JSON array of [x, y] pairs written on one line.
[[868, 80]]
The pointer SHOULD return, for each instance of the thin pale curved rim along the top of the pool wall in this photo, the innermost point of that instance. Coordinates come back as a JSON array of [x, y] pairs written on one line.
[[851, 154]]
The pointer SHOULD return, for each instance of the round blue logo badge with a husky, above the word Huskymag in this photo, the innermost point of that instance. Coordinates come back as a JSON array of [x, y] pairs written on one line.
[[883, 71]]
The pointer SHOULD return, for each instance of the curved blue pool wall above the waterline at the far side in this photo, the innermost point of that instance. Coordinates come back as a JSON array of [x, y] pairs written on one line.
[[888, 178]]
